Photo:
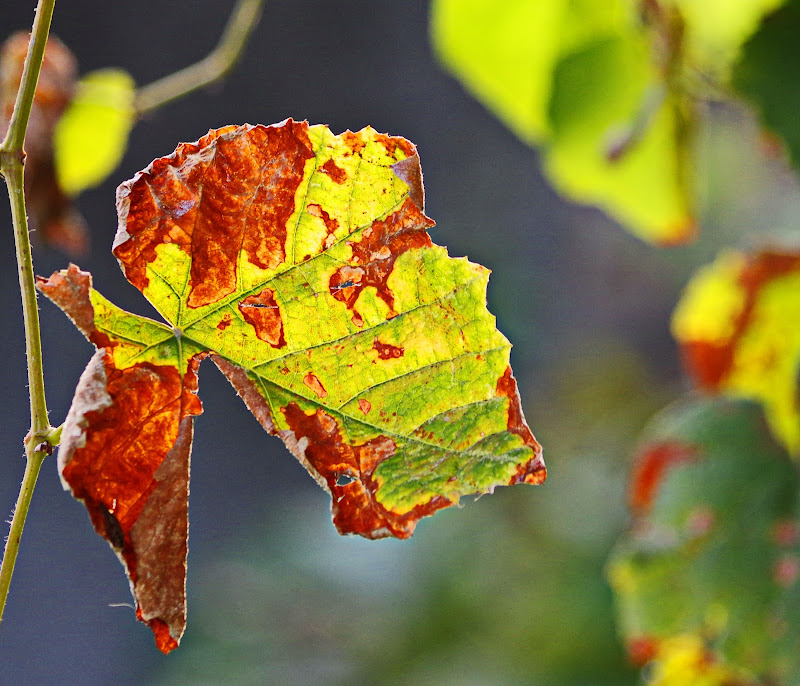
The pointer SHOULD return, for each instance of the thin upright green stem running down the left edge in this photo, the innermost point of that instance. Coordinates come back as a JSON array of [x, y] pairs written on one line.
[[38, 442]]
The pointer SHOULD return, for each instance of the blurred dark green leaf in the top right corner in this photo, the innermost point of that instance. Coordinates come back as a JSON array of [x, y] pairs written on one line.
[[767, 74]]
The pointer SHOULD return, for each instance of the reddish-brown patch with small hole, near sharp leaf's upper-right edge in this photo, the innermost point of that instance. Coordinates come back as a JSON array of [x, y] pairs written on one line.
[[401, 231]]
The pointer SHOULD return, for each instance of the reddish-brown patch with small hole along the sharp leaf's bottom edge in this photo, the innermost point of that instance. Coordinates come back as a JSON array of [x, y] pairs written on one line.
[[355, 509]]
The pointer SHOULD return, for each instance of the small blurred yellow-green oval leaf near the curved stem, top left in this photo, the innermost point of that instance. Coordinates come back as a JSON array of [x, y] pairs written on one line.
[[91, 136]]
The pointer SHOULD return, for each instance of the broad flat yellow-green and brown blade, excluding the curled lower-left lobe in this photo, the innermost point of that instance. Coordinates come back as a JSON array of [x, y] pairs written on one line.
[[301, 261]]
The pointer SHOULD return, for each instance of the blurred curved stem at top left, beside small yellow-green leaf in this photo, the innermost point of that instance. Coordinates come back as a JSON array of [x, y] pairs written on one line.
[[212, 67]]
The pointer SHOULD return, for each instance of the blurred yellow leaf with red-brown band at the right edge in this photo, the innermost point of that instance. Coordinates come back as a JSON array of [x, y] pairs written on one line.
[[737, 327]]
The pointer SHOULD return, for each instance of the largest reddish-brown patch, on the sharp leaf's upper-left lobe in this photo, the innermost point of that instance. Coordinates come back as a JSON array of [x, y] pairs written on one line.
[[232, 190]]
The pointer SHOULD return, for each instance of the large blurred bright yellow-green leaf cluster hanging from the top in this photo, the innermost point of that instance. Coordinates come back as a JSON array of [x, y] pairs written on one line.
[[607, 88]]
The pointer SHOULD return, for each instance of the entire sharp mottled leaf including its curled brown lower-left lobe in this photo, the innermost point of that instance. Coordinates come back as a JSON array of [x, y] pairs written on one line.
[[300, 262]]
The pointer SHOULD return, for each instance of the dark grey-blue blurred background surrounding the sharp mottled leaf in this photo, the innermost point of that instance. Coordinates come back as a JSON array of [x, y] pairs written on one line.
[[506, 590]]
